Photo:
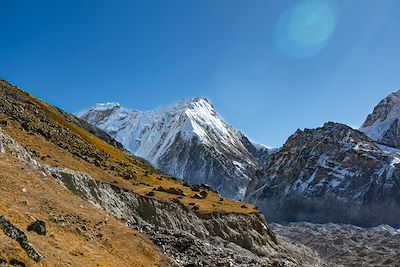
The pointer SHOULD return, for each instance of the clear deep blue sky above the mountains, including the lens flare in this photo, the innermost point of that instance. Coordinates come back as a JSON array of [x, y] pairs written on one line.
[[269, 67]]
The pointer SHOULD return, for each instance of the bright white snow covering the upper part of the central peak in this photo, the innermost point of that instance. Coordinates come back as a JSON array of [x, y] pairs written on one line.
[[148, 134]]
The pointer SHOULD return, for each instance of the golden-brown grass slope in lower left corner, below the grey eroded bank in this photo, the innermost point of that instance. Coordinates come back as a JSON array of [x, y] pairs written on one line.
[[64, 245]]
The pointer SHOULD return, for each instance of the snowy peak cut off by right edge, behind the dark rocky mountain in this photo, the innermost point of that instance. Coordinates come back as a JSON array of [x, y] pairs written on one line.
[[382, 125]]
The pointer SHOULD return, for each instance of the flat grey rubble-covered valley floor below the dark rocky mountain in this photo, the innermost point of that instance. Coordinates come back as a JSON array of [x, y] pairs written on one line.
[[347, 245]]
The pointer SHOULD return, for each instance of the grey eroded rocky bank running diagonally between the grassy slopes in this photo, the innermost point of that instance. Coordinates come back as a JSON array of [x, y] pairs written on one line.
[[189, 238]]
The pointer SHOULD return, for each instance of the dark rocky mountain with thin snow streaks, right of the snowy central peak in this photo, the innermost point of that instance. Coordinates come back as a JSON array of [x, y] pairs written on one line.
[[329, 174]]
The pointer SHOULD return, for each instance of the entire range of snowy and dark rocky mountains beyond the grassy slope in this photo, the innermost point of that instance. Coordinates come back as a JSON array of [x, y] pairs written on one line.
[[330, 174]]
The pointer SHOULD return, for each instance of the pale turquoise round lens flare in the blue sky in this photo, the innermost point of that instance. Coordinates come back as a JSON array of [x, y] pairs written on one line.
[[304, 29]]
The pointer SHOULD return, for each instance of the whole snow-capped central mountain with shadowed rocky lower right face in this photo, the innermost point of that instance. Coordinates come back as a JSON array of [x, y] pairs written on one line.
[[187, 140]]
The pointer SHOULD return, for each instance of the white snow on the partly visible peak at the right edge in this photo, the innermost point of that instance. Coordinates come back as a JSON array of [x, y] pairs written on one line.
[[384, 114]]
